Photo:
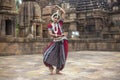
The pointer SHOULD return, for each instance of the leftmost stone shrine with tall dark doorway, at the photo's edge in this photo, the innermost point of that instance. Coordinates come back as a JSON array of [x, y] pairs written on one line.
[[7, 18]]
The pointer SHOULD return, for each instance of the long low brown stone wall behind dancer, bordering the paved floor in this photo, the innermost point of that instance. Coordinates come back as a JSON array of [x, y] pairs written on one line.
[[27, 46]]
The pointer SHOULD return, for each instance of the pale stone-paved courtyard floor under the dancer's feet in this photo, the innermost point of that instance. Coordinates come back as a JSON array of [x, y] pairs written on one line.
[[83, 65]]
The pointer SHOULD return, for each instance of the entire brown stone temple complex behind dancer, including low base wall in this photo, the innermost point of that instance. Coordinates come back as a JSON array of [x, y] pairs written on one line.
[[90, 24]]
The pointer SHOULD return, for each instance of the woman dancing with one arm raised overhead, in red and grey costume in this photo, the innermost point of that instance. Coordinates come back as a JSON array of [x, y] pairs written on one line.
[[56, 53]]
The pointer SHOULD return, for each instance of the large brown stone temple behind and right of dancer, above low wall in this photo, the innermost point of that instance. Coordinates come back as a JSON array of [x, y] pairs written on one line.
[[91, 18]]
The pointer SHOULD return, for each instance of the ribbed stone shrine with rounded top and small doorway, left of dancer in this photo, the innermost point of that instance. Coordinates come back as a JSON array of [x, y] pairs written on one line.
[[30, 22]]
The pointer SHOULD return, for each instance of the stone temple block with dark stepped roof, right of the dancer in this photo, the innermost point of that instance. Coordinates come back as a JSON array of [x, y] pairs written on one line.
[[92, 17]]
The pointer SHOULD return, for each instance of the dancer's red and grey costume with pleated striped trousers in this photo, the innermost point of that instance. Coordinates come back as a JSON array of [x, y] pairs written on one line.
[[56, 53]]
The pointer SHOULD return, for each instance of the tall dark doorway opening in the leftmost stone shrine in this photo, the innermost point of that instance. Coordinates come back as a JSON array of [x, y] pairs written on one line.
[[8, 27]]
